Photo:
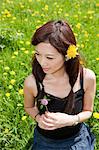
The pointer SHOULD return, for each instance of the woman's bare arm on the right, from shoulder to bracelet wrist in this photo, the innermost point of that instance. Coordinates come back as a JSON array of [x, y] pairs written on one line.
[[90, 89]]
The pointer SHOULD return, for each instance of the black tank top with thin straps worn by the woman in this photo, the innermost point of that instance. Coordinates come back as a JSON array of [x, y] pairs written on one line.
[[57, 104]]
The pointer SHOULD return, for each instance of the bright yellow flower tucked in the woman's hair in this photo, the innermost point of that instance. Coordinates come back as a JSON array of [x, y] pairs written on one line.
[[71, 52]]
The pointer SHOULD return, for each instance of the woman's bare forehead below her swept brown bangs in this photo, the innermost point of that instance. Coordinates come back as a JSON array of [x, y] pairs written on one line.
[[46, 48]]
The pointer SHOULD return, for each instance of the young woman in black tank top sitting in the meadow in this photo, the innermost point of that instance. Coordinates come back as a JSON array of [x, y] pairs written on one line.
[[60, 92]]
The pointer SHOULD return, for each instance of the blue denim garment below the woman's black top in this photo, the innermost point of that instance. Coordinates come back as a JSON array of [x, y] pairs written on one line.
[[84, 140]]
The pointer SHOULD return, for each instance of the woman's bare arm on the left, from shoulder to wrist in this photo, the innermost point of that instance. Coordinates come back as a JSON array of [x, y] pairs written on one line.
[[29, 94]]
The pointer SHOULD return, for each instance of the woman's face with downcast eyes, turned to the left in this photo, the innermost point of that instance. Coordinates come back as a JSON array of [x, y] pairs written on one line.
[[49, 58]]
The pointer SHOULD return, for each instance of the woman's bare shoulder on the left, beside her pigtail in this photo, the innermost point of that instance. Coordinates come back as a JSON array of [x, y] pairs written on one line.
[[30, 84]]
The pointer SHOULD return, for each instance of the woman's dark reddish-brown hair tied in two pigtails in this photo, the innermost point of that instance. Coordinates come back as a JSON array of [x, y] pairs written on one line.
[[59, 35]]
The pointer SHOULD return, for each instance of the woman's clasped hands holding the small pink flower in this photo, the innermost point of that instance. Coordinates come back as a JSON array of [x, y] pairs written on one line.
[[51, 121]]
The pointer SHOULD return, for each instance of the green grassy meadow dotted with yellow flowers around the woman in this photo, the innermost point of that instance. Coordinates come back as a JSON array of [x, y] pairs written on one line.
[[18, 21]]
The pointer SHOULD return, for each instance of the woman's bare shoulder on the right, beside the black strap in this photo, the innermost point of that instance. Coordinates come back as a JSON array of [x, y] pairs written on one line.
[[89, 78]]
